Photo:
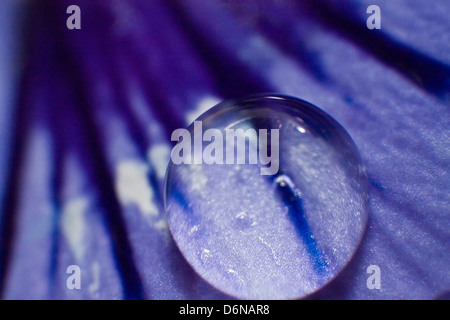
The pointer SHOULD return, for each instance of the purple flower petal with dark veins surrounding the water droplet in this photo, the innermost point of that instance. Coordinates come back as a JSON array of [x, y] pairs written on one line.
[[86, 117]]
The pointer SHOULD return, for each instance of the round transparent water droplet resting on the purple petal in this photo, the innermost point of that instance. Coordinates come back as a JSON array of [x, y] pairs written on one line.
[[268, 236]]
